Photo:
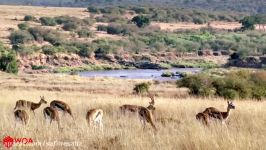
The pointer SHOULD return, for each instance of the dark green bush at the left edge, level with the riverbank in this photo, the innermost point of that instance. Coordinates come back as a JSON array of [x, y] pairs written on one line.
[[8, 62]]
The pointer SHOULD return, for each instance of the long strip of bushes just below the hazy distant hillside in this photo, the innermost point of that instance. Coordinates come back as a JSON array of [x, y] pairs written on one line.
[[165, 14]]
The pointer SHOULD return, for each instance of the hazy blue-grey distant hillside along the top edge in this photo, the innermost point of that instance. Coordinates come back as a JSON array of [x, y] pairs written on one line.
[[251, 6]]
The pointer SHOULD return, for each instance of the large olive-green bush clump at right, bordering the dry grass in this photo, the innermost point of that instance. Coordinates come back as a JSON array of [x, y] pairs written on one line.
[[232, 85]]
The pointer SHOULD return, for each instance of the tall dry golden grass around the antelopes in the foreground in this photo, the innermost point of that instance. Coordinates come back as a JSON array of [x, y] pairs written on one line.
[[175, 117]]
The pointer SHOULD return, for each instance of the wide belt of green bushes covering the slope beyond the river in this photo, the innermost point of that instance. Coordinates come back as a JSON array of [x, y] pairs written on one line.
[[138, 39]]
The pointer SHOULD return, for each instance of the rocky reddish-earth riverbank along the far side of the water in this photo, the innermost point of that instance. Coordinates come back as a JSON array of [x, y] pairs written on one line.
[[64, 63]]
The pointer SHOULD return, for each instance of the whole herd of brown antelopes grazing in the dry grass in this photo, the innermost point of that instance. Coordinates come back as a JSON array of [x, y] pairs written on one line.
[[94, 117]]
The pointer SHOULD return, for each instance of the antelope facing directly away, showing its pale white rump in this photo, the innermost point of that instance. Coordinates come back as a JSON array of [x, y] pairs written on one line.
[[94, 118]]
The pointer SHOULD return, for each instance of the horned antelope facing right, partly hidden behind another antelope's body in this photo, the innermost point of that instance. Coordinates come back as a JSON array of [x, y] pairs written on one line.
[[135, 108]]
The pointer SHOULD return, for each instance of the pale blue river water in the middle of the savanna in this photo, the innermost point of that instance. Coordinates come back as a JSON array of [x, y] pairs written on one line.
[[138, 73]]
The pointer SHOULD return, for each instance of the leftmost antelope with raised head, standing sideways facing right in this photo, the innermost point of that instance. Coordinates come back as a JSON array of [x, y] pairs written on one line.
[[29, 105]]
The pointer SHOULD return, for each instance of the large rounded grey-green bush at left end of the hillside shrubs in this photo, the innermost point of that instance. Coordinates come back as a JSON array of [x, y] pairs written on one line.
[[20, 37]]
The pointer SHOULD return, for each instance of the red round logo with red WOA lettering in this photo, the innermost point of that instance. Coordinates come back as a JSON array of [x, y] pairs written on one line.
[[9, 141]]
